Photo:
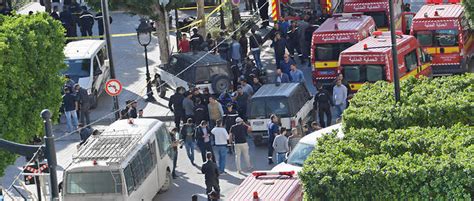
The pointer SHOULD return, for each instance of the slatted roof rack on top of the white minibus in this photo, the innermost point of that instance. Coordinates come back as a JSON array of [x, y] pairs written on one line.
[[111, 146]]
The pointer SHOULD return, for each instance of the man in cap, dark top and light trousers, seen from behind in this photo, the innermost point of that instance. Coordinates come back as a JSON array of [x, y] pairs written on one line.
[[238, 135]]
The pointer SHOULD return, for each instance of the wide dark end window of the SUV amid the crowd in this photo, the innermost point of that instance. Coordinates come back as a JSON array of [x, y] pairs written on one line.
[[264, 107]]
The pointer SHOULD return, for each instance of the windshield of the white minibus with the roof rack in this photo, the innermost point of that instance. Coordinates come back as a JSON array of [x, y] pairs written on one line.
[[93, 182]]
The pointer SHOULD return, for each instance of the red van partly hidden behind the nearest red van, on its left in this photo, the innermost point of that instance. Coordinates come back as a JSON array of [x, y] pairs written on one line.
[[332, 37]]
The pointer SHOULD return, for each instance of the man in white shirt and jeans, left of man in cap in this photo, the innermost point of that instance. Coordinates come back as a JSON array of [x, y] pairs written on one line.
[[221, 136]]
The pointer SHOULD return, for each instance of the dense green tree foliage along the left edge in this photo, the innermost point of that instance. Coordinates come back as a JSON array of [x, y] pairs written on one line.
[[30, 81]]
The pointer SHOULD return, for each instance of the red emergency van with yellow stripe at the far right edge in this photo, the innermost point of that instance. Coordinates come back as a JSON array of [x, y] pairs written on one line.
[[444, 32]]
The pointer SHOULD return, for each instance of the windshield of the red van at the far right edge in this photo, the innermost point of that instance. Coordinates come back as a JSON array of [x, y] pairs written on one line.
[[438, 38]]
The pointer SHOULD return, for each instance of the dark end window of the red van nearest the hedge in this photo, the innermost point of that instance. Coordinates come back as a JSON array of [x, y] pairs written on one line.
[[365, 73]]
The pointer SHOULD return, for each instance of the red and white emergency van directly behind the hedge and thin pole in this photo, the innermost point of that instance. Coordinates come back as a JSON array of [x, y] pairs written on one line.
[[370, 60]]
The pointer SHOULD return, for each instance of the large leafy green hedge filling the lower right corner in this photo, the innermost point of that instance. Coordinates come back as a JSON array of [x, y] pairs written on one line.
[[420, 149]]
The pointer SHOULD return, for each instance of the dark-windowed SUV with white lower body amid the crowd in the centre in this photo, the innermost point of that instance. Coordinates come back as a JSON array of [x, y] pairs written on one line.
[[291, 102]]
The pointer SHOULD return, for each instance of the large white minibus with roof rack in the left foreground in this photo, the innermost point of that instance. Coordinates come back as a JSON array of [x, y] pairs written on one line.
[[126, 162]]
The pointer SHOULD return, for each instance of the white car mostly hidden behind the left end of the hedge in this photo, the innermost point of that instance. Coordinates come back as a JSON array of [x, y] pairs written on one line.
[[304, 147]]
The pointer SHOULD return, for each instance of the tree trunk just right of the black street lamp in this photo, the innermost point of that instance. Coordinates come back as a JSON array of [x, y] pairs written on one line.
[[162, 34]]
